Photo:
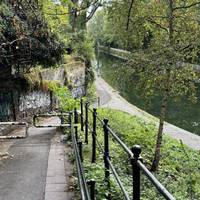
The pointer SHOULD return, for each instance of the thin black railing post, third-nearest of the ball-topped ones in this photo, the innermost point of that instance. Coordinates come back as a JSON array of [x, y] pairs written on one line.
[[94, 135]]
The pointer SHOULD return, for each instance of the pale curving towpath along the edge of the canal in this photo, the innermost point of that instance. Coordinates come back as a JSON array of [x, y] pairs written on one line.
[[110, 98]]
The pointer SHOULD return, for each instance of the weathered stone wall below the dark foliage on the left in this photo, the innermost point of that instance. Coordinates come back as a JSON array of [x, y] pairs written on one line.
[[29, 103]]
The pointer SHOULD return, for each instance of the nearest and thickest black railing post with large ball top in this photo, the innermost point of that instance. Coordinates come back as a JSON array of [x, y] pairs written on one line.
[[136, 150]]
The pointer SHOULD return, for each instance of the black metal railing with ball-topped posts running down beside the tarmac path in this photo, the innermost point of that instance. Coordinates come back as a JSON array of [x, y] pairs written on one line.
[[133, 154]]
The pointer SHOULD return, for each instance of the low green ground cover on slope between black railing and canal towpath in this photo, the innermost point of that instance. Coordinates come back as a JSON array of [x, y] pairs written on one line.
[[179, 169]]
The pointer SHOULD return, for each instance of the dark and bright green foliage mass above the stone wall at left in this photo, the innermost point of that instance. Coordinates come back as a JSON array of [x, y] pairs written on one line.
[[38, 33]]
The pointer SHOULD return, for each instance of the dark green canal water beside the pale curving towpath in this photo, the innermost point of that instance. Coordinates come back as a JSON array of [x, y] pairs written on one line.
[[182, 113]]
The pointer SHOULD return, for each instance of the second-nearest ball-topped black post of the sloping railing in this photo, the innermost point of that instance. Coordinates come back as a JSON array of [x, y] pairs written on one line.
[[106, 154]]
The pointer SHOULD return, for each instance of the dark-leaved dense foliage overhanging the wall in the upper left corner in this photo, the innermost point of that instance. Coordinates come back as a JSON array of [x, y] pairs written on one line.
[[25, 38]]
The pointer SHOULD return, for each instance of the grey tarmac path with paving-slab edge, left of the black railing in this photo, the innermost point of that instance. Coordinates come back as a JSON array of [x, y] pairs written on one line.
[[24, 176]]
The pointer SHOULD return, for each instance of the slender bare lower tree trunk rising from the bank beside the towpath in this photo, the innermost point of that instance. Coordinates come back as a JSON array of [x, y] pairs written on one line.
[[156, 159]]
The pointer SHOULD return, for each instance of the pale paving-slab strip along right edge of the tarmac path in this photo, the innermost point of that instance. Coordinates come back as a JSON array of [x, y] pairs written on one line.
[[59, 172]]
